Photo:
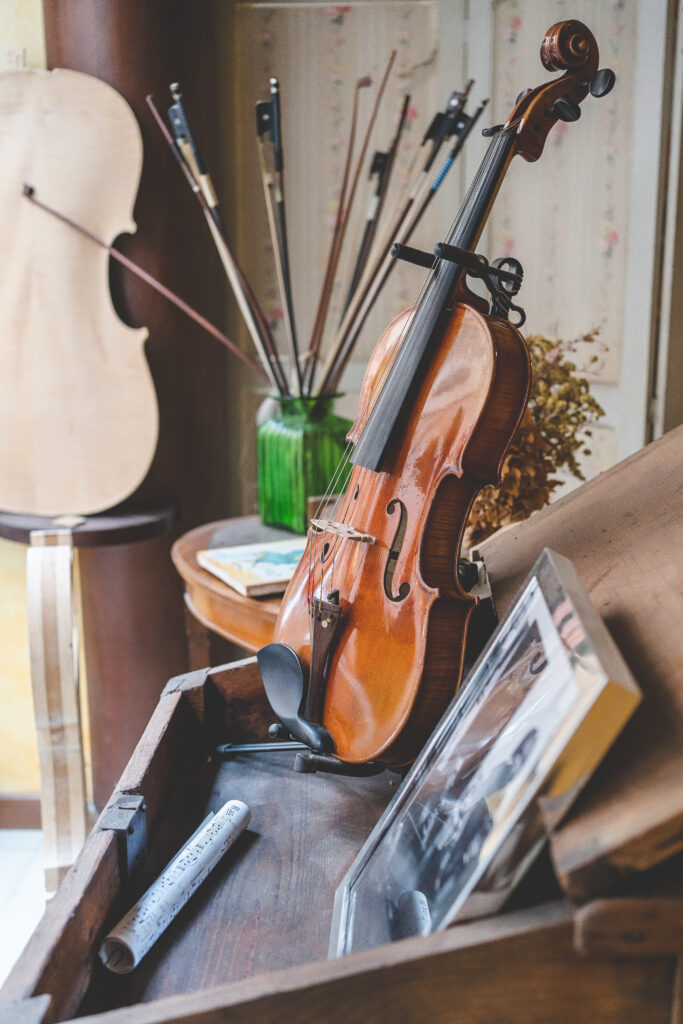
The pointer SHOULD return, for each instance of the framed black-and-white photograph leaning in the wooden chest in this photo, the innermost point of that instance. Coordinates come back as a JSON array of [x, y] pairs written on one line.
[[541, 708]]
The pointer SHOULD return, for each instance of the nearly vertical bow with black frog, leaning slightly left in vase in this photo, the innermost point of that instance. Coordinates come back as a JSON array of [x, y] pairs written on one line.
[[269, 121]]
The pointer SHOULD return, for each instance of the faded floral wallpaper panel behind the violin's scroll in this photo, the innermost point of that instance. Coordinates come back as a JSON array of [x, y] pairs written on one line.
[[566, 217]]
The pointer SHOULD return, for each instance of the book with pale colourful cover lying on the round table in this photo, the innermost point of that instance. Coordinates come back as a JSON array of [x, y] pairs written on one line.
[[255, 570]]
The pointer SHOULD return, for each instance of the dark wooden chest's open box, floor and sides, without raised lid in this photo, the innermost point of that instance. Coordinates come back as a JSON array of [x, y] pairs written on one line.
[[269, 907]]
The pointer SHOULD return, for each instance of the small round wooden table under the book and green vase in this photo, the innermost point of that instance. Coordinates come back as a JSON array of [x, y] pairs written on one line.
[[248, 622]]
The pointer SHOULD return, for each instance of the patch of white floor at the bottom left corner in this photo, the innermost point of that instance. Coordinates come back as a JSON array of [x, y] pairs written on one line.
[[22, 892]]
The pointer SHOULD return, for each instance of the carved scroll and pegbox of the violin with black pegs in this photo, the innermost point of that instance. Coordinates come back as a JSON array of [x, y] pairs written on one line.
[[571, 48]]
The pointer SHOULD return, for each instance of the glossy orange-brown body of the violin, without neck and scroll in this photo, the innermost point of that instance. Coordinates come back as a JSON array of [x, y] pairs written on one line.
[[398, 660]]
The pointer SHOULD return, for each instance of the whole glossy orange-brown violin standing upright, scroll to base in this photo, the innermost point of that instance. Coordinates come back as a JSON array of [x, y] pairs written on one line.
[[370, 642]]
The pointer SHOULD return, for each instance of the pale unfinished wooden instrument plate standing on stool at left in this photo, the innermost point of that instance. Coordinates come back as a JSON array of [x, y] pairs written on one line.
[[78, 409]]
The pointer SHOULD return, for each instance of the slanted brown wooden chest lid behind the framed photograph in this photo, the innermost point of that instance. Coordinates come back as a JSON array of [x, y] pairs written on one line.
[[624, 533]]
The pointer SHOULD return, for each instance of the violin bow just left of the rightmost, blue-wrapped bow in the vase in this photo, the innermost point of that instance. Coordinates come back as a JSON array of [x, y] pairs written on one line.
[[443, 126]]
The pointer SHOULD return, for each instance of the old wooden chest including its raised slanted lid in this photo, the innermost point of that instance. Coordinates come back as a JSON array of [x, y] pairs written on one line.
[[251, 946]]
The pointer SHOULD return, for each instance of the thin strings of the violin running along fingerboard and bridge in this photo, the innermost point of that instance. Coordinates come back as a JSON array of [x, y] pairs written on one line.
[[480, 180]]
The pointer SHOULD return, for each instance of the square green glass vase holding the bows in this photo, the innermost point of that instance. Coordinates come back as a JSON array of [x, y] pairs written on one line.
[[298, 455]]
